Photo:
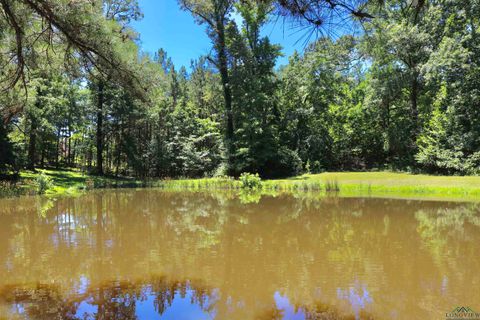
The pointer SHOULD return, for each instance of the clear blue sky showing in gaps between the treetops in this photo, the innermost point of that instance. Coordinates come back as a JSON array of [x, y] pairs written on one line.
[[165, 26]]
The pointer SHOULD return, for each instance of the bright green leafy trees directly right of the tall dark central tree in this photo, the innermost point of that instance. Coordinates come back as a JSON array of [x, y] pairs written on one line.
[[324, 118]]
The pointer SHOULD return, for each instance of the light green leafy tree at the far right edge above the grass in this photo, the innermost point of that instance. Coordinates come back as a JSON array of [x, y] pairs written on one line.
[[450, 142]]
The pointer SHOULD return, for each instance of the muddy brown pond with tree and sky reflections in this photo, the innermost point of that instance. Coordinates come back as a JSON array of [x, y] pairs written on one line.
[[150, 254]]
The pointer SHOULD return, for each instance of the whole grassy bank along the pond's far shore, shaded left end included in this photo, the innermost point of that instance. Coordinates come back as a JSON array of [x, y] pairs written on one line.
[[385, 184]]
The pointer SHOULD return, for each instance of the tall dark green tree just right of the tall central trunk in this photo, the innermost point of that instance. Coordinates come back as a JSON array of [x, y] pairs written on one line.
[[257, 144]]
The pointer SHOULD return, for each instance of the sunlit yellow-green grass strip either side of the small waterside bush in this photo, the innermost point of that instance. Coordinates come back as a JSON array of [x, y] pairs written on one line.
[[382, 184]]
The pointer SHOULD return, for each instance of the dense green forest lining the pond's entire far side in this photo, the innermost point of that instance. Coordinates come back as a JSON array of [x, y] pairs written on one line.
[[402, 92]]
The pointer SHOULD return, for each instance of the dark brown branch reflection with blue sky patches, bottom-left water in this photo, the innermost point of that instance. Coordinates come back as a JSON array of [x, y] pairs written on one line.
[[155, 299]]
